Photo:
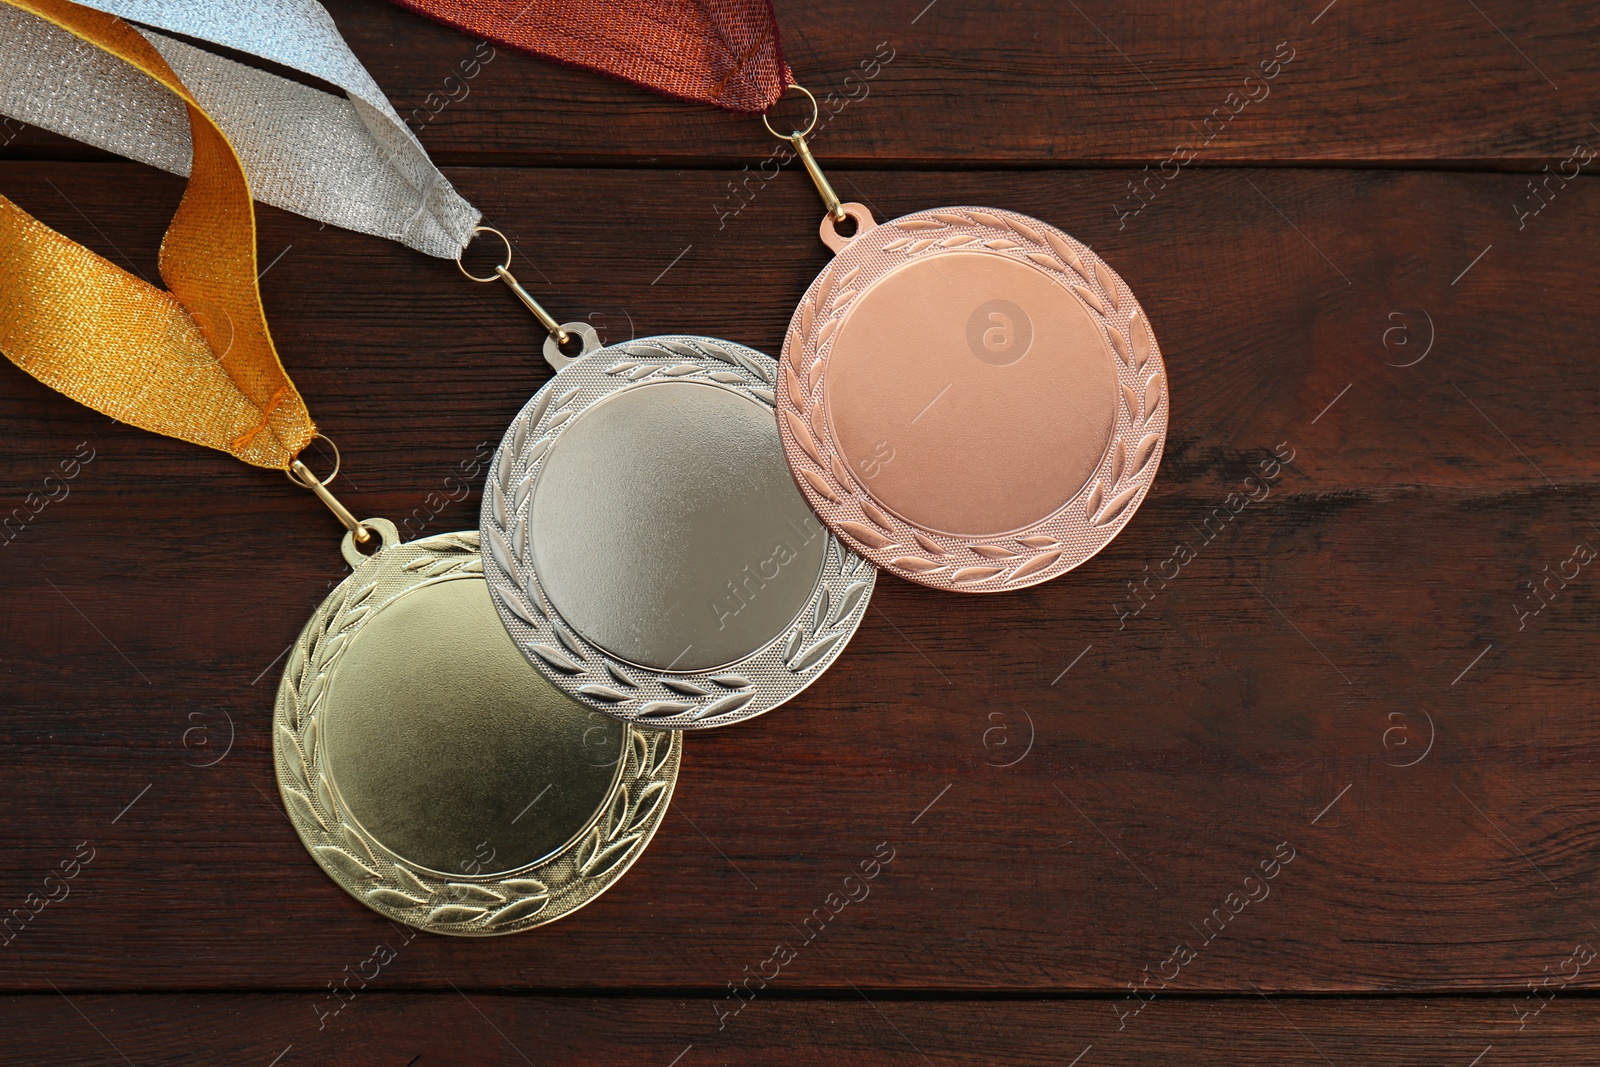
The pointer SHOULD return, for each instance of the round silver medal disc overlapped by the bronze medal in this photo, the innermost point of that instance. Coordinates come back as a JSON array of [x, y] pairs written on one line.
[[647, 546]]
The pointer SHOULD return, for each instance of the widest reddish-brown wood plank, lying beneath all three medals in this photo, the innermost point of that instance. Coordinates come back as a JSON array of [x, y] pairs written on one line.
[[1252, 703]]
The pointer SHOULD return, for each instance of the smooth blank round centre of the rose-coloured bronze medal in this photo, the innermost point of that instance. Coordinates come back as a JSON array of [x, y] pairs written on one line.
[[970, 394]]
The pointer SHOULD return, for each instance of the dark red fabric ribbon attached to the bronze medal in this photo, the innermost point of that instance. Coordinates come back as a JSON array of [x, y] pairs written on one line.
[[710, 52]]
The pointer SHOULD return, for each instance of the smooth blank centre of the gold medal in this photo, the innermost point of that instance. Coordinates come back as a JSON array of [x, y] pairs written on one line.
[[449, 749]]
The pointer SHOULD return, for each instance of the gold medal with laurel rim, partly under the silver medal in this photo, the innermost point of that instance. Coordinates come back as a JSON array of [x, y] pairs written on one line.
[[433, 775]]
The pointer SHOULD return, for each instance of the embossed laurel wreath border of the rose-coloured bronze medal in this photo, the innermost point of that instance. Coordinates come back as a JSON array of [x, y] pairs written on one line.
[[975, 564]]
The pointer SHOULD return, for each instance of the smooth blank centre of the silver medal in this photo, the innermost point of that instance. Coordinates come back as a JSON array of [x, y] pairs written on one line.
[[668, 530]]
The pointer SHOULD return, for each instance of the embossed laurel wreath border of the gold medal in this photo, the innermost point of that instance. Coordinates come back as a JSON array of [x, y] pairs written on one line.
[[463, 906]]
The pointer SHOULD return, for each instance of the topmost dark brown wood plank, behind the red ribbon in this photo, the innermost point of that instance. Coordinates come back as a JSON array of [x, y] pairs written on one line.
[[1039, 84]]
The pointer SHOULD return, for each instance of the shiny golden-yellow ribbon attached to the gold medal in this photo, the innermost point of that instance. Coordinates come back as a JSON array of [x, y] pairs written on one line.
[[193, 361]]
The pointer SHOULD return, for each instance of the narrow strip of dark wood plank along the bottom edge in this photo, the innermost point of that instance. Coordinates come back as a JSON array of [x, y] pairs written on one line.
[[434, 1029]]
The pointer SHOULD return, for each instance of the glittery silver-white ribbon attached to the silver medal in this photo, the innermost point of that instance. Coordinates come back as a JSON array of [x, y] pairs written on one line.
[[348, 162]]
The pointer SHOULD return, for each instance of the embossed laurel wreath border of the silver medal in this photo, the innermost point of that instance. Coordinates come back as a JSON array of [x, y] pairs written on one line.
[[639, 695]]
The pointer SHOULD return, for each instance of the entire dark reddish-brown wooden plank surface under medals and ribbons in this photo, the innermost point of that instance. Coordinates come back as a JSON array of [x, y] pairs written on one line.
[[1322, 794]]
